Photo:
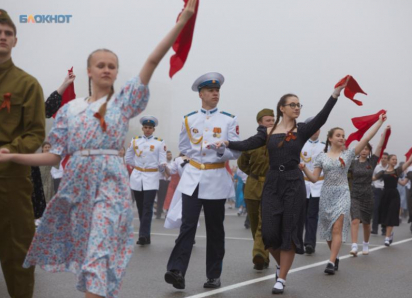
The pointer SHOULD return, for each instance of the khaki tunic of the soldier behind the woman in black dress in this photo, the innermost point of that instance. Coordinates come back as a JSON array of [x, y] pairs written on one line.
[[254, 163]]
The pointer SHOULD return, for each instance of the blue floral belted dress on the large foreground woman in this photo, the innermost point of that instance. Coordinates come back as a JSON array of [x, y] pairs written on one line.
[[87, 227]]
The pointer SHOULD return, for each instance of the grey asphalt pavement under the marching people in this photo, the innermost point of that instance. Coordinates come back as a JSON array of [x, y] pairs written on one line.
[[385, 272]]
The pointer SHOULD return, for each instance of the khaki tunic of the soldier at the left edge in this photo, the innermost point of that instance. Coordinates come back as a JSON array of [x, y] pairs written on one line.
[[21, 129]]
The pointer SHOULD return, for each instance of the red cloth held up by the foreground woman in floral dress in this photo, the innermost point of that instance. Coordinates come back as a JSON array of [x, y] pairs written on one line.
[[183, 43]]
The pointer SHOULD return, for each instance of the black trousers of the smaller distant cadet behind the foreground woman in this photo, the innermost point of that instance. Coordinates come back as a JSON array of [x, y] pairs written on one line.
[[144, 203]]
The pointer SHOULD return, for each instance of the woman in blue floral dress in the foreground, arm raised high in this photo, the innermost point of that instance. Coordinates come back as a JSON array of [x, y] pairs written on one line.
[[87, 228]]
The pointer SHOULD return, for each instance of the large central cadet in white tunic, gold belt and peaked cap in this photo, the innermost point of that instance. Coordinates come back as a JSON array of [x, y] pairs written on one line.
[[205, 182]]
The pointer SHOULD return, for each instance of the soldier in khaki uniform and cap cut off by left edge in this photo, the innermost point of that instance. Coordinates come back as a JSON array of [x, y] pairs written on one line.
[[22, 123]]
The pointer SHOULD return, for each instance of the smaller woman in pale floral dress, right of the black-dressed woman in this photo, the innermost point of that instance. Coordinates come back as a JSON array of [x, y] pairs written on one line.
[[334, 203]]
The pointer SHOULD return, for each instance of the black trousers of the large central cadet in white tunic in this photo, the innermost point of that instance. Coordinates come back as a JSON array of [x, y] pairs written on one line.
[[215, 245]]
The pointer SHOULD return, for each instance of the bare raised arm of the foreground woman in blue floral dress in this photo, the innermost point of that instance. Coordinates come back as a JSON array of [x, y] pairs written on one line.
[[160, 51]]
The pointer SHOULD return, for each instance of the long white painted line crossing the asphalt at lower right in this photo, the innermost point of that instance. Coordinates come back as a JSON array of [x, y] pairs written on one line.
[[272, 276]]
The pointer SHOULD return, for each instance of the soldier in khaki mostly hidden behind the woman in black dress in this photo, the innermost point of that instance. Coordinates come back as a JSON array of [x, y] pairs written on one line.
[[255, 163]]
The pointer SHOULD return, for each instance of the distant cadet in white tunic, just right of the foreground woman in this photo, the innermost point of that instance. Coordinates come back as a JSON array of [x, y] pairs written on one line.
[[147, 154]]
